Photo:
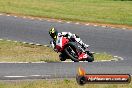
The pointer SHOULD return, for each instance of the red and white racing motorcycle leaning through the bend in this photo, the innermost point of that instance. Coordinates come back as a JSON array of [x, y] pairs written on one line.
[[70, 49]]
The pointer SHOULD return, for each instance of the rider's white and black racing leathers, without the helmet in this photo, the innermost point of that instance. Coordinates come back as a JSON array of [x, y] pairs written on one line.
[[69, 35]]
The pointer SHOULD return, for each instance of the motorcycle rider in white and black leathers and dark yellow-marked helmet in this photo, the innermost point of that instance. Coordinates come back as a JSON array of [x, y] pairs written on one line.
[[55, 34]]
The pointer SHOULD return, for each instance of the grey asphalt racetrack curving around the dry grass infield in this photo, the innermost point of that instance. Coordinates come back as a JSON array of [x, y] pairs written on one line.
[[115, 41]]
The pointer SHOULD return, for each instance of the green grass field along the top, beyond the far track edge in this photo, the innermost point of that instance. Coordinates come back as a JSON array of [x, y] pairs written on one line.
[[100, 11]]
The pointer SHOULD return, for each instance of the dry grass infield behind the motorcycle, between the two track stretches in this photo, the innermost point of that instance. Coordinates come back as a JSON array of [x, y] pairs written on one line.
[[18, 52]]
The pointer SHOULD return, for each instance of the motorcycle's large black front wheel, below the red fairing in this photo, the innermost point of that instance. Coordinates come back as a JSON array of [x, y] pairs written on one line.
[[71, 50]]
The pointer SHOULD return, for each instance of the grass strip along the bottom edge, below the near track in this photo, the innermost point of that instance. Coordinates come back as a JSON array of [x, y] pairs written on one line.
[[58, 84]]
